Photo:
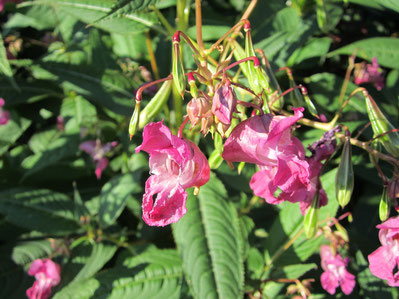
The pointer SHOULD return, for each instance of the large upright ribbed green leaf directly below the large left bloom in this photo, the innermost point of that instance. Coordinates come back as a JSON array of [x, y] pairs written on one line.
[[208, 239]]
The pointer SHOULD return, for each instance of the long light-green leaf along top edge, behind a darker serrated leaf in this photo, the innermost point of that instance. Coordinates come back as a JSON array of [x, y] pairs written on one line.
[[88, 11]]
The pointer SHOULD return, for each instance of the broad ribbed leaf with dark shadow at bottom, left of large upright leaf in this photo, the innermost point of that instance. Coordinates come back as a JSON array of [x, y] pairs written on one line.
[[153, 274]]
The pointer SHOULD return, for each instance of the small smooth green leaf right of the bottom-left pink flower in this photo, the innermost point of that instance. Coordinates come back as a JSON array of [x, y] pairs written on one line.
[[100, 255]]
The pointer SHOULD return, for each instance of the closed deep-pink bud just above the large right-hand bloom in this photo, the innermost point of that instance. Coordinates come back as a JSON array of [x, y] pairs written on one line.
[[224, 103]]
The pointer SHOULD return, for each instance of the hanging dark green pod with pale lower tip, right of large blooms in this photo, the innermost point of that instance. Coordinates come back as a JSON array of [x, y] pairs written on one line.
[[344, 179]]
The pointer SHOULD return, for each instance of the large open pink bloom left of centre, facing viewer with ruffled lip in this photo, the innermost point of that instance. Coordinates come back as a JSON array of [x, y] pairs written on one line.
[[175, 164]]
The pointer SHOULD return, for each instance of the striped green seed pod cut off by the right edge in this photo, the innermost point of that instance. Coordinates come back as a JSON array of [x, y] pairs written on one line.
[[381, 125]]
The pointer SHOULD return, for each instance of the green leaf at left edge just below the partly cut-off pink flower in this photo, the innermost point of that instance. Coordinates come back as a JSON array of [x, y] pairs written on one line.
[[10, 132]]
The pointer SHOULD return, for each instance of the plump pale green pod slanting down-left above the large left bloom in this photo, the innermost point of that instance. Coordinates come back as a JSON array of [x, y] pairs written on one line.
[[156, 104]]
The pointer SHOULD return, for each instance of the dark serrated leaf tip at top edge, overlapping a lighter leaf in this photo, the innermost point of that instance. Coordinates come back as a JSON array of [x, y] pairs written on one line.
[[122, 7]]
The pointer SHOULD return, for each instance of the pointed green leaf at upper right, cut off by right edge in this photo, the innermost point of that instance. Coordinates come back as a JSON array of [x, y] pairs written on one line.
[[385, 49]]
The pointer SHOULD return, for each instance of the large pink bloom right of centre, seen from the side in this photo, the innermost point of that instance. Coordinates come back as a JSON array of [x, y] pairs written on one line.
[[267, 141]]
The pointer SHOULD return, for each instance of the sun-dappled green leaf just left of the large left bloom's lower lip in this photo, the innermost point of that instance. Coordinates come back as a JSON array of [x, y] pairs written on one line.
[[114, 195]]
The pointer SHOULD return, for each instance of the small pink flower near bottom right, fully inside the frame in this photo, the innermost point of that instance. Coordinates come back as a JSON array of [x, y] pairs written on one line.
[[335, 273]]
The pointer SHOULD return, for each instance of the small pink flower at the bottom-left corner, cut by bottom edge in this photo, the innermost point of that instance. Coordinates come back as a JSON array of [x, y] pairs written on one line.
[[47, 275]]
